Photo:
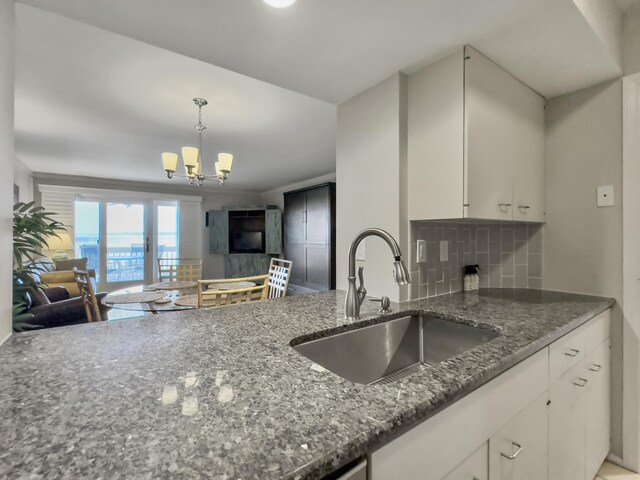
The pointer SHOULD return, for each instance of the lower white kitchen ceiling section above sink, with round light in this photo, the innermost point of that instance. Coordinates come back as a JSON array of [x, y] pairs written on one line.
[[334, 49]]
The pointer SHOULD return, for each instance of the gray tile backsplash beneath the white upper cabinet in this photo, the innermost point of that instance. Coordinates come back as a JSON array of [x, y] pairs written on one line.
[[509, 255]]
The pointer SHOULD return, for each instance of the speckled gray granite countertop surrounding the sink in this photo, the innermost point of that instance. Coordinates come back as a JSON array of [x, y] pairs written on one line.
[[219, 393]]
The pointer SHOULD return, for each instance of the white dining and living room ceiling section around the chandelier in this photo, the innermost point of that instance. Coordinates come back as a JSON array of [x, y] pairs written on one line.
[[93, 103]]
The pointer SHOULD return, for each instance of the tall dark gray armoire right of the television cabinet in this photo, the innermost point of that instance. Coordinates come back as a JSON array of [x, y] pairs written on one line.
[[310, 237]]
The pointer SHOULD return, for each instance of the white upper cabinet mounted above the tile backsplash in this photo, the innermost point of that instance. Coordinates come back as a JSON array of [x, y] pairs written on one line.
[[475, 142]]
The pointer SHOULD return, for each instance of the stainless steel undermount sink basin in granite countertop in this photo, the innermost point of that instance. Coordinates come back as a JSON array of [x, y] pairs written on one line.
[[391, 350]]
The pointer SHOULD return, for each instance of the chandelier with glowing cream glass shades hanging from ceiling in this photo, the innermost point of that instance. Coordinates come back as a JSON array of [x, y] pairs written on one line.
[[192, 158]]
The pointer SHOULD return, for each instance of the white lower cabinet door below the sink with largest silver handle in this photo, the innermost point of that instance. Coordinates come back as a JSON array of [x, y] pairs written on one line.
[[519, 450]]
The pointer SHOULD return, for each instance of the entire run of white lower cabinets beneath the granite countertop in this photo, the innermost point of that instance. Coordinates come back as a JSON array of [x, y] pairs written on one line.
[[546, 418]]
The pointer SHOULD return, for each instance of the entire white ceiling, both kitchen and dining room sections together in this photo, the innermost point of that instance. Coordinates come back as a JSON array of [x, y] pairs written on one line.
[[106, 101]]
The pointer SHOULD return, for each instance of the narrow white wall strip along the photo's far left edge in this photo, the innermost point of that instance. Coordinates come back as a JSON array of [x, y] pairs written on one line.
[[7, 16]]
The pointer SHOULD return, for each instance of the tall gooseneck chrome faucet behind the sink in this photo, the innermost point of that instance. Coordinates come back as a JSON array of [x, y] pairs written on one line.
[[355, 296]]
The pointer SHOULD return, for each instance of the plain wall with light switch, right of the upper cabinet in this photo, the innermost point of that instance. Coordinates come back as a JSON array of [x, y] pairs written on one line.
[[582, 243]]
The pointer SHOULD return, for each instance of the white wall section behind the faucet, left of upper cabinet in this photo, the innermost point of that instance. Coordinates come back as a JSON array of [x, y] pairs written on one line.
[[370, 169]]
